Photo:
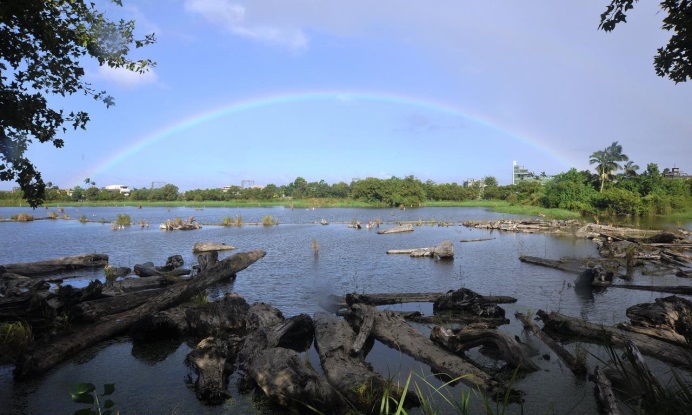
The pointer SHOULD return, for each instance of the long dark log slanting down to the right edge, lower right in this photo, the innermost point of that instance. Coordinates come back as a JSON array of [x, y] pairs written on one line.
[[584, 331]]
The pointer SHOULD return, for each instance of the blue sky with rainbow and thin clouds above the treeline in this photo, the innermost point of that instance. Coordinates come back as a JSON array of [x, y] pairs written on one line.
[[269, 91]]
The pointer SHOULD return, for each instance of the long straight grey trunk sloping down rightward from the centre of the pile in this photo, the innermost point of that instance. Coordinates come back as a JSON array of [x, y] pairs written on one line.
[[393, 331]]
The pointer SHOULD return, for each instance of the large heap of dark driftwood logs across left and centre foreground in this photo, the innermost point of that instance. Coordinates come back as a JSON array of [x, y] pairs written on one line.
[[266, 347]]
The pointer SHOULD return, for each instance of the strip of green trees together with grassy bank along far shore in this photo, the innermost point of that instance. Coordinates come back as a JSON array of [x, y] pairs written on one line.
[[612, 189]]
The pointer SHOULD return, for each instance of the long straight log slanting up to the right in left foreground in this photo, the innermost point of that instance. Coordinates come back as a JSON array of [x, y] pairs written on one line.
[[44, 356]]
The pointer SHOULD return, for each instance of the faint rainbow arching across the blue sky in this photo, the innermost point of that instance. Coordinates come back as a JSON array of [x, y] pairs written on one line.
[[289, 98]]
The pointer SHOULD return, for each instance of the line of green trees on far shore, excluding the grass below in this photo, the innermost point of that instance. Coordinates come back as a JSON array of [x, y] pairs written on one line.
[[612, 188]]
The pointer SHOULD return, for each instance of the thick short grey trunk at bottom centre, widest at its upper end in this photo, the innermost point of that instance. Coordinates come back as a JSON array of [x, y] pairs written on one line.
[[349, 375]]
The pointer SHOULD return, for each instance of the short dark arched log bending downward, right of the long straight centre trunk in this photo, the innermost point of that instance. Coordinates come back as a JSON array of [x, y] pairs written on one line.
[[465, 339]]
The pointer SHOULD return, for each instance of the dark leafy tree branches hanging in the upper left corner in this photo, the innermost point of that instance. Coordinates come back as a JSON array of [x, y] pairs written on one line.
[[43, 45]]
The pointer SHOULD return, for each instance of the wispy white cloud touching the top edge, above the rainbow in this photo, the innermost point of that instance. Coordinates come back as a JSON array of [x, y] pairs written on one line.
[[233, 18]]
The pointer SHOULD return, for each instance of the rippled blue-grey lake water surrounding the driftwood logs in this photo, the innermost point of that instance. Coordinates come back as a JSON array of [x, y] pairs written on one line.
[[292, 278]]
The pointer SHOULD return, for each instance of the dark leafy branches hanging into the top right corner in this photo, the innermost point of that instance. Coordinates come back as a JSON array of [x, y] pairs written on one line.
[[674, 60]]
